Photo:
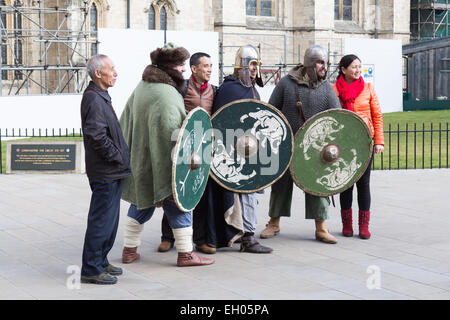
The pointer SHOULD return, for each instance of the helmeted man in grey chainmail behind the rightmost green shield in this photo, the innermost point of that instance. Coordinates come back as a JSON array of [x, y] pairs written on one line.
[[302, 93]]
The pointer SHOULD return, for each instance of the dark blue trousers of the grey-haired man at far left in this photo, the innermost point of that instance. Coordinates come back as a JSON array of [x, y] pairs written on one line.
[[103, 220]]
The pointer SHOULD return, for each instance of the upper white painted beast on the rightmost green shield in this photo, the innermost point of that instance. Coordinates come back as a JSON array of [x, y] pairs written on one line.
[[320, 134]]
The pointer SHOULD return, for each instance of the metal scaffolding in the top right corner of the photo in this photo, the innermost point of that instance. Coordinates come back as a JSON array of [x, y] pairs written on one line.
[[430, 19]]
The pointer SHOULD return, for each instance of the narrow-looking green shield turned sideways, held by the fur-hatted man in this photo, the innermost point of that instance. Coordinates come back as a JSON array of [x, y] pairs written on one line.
[[191, 159]]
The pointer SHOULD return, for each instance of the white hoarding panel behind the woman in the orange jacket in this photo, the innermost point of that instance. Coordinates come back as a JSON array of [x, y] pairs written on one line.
[[385, 58]]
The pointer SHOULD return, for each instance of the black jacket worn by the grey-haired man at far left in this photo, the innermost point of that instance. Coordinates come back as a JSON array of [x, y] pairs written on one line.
[[106, 153]]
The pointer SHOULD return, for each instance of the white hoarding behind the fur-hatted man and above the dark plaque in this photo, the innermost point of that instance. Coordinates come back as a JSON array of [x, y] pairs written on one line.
[[130, 51]]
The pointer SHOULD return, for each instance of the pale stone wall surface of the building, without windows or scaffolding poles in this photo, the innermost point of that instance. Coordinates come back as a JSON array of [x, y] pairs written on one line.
[[282, 38]]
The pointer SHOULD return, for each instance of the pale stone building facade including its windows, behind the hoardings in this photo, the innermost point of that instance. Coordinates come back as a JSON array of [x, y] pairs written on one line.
[[281, 29]]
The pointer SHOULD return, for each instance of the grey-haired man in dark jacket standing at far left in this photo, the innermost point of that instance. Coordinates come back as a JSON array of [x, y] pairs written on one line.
[[107, 164]]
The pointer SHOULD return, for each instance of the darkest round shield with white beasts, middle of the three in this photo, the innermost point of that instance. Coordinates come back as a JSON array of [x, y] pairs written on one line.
[[253, 145]]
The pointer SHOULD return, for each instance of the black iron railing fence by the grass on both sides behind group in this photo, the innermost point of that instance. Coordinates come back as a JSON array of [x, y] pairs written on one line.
[[409, 146]]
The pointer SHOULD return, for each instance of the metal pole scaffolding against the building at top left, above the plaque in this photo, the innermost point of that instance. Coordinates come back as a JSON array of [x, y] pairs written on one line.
[[44, 46]]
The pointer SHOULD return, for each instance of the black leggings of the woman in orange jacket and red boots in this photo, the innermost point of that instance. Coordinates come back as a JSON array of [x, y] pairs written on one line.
[[363, 190]]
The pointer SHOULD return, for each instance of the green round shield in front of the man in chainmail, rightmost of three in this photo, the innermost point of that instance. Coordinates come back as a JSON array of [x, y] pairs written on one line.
[[331, 152]]
